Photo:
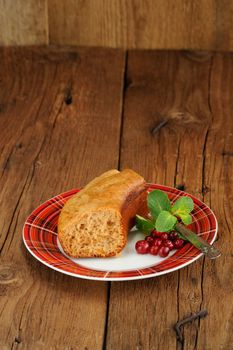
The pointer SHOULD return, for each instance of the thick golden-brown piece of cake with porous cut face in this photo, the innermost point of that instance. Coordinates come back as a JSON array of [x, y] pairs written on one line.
[[95, 222]]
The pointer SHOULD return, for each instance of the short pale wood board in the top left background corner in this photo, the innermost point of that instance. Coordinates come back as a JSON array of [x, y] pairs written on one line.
[[23, 22]]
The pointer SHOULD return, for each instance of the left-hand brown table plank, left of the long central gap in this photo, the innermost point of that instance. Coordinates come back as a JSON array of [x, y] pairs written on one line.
[[49, 144]]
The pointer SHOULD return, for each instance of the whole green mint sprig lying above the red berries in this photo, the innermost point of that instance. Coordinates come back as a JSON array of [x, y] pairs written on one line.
[[164, 214]]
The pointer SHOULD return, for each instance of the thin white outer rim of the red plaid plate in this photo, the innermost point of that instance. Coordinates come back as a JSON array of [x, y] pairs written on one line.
[[128, 278]]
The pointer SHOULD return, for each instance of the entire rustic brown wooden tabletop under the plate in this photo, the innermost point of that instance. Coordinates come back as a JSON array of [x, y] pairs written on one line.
[[66, 115]]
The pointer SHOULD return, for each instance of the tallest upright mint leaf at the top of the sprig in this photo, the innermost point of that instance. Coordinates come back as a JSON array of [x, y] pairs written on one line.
[[158, 201]]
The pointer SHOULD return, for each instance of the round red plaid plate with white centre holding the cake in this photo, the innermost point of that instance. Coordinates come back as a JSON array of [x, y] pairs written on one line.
[[40, 238]]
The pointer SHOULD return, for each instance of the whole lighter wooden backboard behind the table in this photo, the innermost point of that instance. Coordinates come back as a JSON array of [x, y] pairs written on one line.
[[205, 24]]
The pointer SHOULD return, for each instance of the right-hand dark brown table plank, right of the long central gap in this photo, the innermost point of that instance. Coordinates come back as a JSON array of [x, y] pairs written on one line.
[[194, 149]]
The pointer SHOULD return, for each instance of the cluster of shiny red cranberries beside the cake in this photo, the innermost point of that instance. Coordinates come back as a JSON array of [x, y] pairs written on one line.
[[159, 243]]
